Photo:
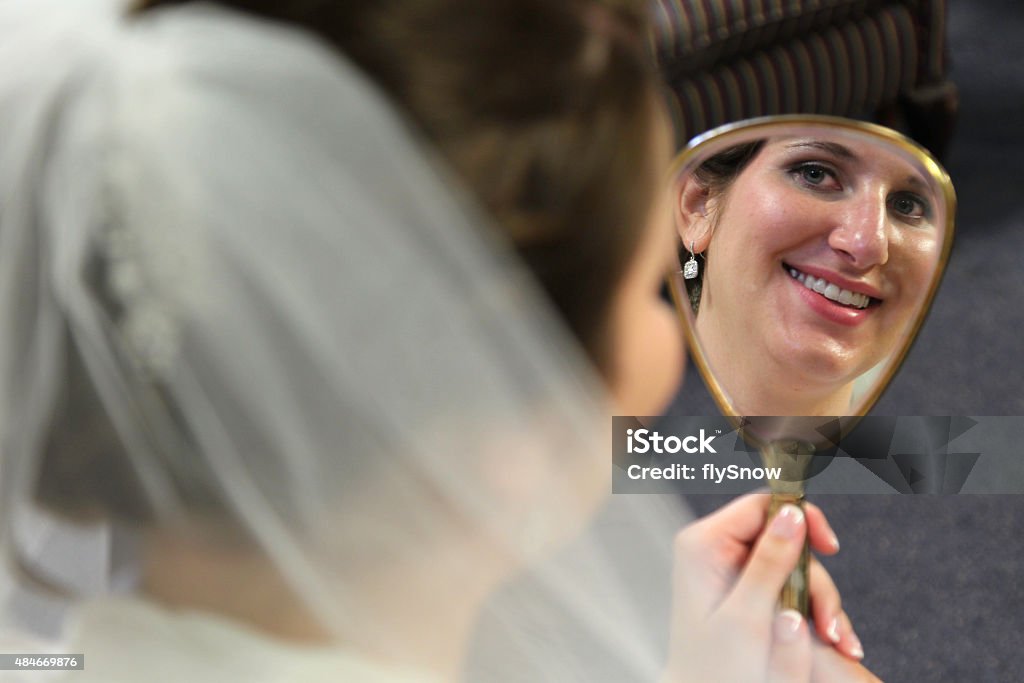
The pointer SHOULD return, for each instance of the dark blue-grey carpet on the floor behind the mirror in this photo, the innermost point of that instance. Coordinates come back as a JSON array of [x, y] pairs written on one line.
[[935, 585]]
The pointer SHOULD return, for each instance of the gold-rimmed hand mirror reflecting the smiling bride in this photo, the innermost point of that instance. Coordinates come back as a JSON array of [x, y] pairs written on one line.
[[809, 251]]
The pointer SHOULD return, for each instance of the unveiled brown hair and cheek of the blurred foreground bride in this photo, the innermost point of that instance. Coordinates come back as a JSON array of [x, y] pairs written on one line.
[[550, 114]]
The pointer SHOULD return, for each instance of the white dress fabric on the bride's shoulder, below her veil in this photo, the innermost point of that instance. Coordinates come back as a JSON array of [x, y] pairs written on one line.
[[129, 641]]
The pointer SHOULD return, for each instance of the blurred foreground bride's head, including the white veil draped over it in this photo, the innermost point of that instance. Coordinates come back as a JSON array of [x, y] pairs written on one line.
[[278, 324]]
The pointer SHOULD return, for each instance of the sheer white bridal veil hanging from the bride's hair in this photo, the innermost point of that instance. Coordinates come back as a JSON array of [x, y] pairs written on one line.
[[290, 318]]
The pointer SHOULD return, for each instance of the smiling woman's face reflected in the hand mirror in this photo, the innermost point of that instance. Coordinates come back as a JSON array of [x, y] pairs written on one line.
[[819, 257]]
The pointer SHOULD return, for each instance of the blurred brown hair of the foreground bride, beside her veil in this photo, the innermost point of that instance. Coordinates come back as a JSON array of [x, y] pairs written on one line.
[[544, 108]]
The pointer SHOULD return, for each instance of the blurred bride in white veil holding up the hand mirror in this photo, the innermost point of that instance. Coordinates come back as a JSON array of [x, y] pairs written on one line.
[[252, 323]]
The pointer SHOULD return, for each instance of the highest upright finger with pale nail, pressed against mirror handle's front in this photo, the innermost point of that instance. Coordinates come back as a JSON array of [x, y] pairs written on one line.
[[774, 558]]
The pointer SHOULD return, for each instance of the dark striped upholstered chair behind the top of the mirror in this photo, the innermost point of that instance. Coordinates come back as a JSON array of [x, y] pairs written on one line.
[[881, 61]]
